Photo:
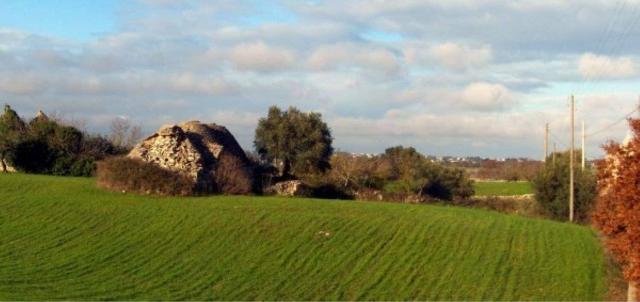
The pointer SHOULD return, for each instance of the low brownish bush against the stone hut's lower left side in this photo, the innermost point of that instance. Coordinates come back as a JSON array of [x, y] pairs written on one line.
[[132, 175]]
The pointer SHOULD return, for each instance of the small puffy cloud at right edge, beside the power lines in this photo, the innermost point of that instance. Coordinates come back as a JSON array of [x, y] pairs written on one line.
[[592, 66]]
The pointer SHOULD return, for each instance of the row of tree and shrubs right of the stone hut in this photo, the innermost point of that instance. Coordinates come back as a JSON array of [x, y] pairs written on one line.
[[298, 146]]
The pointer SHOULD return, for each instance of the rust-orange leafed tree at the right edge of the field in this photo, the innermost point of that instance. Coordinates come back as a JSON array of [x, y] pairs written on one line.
[[617, 210]]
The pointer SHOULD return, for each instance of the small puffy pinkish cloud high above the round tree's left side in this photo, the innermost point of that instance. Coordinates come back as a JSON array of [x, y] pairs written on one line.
[[258, 56]]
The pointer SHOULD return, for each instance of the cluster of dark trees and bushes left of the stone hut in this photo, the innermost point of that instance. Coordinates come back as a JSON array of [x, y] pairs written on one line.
[[45, 145]]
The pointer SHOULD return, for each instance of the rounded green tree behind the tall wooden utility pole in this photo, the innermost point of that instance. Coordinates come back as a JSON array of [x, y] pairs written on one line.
[[551, 188]]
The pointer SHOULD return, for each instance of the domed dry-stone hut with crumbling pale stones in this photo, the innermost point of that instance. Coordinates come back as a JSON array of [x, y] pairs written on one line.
[[207, 153]]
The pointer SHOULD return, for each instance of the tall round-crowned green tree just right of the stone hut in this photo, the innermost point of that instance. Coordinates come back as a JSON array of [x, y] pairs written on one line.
[[296, 142]]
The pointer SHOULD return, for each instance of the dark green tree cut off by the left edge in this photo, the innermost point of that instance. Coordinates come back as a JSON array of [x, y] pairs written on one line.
[[11, 129]]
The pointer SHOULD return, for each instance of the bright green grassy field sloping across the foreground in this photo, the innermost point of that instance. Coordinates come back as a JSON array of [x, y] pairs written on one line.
[[60, 238]]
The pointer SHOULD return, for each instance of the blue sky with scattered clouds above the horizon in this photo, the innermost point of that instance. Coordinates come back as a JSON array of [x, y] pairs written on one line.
[[456, 77]]
